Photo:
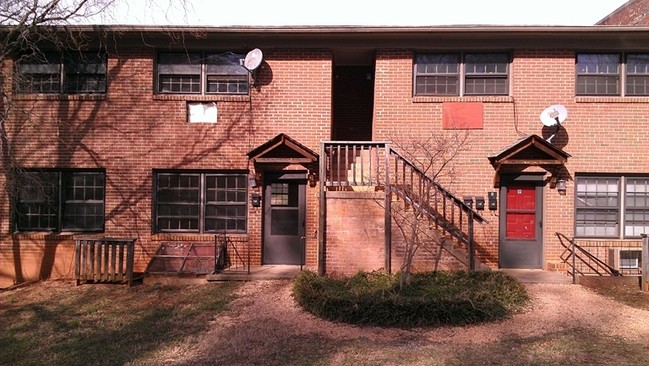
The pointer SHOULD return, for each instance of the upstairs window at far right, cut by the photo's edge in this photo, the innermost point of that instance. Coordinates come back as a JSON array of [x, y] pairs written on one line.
[[606, 74]]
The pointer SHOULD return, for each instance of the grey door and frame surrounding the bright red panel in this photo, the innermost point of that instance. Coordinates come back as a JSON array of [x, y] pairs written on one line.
[[538, 182]]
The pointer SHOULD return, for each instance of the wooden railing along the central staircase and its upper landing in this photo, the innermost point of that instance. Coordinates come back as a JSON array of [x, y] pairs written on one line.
[[348, 165]]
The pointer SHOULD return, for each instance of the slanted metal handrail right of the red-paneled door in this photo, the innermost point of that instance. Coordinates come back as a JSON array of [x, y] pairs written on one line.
[[573, 253]]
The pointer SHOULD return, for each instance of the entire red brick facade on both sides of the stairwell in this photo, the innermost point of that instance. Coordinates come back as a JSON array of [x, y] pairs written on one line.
[[131, 131]]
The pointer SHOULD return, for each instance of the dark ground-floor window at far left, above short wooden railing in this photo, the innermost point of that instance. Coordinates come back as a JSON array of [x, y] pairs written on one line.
[[61, 201]]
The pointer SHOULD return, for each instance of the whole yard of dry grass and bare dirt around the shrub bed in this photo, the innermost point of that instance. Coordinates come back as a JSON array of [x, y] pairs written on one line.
[[258, 323]]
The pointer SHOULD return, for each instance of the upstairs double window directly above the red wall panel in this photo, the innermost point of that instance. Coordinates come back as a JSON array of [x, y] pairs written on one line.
[[461, 74]]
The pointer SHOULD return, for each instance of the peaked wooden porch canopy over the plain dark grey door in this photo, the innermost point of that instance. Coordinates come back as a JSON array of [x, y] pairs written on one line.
[[282, 149]]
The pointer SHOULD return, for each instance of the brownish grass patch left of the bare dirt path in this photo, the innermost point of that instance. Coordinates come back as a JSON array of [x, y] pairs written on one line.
[[57, 323]]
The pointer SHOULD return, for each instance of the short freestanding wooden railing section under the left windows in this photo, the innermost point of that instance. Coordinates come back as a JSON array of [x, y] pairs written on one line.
[[104, 260]]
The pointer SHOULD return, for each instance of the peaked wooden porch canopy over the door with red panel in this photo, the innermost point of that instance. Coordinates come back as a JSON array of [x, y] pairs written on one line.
[[529, 151]]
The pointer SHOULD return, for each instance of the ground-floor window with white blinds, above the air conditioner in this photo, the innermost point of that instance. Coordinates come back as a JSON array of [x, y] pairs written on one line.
[[606, 204]]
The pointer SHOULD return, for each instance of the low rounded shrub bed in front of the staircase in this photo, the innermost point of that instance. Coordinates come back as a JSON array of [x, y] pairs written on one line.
[[432, 298]]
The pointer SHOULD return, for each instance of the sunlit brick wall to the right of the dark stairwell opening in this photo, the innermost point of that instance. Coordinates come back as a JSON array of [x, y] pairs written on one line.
[[602, 135]]
